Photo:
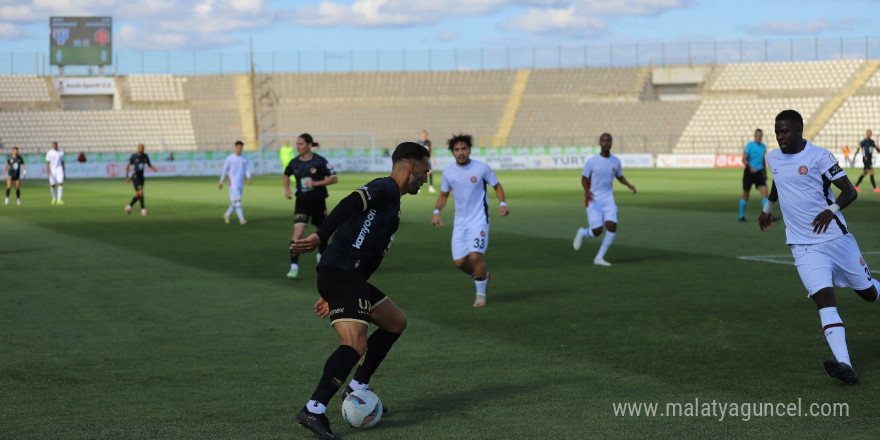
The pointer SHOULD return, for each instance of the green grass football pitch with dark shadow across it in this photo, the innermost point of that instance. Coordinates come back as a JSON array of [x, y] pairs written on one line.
[[178, 326]]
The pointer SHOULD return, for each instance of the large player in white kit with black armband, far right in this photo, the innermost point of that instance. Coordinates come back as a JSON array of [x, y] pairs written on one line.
[[825, 252]]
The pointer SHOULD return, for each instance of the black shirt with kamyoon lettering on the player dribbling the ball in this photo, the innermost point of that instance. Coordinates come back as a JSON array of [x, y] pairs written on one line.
[[360, 243]]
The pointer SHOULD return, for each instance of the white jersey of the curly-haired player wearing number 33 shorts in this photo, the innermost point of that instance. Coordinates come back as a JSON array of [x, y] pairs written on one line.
[[468, 186]]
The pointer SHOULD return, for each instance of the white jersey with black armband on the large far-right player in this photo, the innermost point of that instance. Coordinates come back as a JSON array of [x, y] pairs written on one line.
[[803, 184]]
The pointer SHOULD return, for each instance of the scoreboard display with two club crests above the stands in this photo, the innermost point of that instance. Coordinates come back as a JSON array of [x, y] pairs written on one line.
[[81, 41]]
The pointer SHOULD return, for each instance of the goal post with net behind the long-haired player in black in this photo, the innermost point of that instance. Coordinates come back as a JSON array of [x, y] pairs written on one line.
[[331, 146]]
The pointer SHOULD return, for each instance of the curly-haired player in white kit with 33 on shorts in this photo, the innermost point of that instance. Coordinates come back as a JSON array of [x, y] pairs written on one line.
[[467, 180]]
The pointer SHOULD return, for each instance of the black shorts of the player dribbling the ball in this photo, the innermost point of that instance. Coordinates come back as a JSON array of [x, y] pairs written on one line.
[[349, 296]]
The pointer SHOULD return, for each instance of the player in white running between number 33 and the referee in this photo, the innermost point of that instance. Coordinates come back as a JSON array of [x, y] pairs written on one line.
[[598, 181]]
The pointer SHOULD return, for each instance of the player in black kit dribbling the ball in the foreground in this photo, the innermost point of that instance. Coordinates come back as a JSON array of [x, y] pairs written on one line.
[[363, 226]]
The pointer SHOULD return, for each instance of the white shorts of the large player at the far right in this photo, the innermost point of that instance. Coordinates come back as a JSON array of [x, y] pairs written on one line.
[[836, 262]]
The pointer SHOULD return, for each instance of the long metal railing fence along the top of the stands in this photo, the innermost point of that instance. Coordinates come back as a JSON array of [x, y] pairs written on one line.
[[630, 54]]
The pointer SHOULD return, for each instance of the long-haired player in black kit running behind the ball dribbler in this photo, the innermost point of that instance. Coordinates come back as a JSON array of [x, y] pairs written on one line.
[[313, 173]]
